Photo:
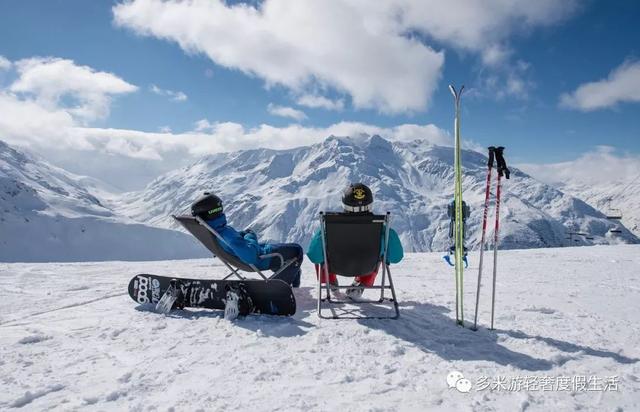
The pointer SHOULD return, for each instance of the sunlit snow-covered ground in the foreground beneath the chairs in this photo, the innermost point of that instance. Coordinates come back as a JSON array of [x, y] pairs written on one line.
[[566, 339]]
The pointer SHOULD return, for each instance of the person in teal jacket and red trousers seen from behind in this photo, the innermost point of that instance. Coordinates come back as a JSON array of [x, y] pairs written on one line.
[[358, 199]]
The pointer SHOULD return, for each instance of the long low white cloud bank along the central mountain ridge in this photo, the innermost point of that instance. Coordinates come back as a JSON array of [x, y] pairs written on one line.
[[154, 153]]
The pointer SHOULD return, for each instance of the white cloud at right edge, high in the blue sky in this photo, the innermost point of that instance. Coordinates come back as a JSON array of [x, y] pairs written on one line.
[[621, 86]]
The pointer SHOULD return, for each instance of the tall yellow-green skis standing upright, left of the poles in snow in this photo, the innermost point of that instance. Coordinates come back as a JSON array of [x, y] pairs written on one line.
[[459, 224]]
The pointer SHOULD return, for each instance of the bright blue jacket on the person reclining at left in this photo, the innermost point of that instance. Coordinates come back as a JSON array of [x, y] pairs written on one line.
[[245, 246]]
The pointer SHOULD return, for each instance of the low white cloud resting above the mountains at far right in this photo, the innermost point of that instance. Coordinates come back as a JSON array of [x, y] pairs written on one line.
[[602, 165]]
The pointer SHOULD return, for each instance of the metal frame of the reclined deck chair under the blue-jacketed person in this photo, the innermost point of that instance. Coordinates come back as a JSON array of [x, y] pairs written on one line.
[[233, 263]]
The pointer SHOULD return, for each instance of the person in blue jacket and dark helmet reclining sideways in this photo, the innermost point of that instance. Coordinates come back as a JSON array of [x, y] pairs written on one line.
[[245, 245]]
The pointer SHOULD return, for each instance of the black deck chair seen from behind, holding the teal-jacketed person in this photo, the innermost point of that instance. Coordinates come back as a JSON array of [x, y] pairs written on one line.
[[351, 244]]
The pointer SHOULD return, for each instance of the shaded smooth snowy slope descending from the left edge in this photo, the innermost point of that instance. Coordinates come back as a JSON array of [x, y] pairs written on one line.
[[46, 214]]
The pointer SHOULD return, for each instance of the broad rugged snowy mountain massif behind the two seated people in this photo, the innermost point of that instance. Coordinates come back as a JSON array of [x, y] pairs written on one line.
[[279, 193]]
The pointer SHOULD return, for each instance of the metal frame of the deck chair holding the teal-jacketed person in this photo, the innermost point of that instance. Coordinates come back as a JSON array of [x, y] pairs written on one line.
[[386, 272]]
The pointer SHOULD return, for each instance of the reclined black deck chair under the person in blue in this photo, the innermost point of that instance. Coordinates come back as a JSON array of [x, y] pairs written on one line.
[[211, 240]]
